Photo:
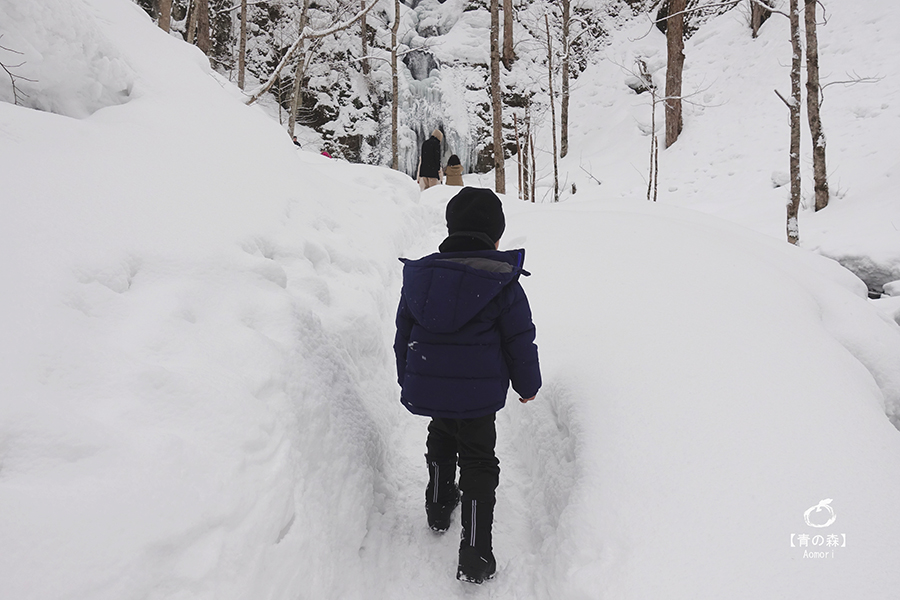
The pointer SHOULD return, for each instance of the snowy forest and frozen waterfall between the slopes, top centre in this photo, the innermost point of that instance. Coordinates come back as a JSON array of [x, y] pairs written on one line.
[[340, 85]]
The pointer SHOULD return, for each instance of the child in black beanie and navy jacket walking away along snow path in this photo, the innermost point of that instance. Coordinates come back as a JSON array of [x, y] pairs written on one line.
[[464, 331]]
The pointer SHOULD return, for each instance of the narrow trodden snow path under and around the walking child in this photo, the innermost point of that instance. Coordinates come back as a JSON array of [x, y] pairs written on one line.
[[536, 450]]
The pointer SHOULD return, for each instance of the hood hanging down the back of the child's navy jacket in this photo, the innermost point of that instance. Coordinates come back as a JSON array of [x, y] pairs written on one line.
[[445, 290]]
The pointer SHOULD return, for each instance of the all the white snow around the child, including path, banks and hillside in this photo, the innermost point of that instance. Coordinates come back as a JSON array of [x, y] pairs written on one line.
[[197, 396]]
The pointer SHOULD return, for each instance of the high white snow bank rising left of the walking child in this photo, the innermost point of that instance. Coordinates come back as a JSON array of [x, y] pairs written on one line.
[[193, 317]]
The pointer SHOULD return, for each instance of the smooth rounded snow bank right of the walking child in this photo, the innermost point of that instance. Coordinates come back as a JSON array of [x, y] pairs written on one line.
[[704, 386]]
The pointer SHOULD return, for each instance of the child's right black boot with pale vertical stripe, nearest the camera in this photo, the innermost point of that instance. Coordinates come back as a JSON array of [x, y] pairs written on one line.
[[476, 558]]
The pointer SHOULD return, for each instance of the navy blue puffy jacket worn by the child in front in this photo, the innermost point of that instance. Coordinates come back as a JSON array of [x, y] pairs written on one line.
[[464, 330]]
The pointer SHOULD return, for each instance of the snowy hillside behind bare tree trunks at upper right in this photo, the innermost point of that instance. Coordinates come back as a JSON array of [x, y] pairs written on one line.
[[736, 133]]
